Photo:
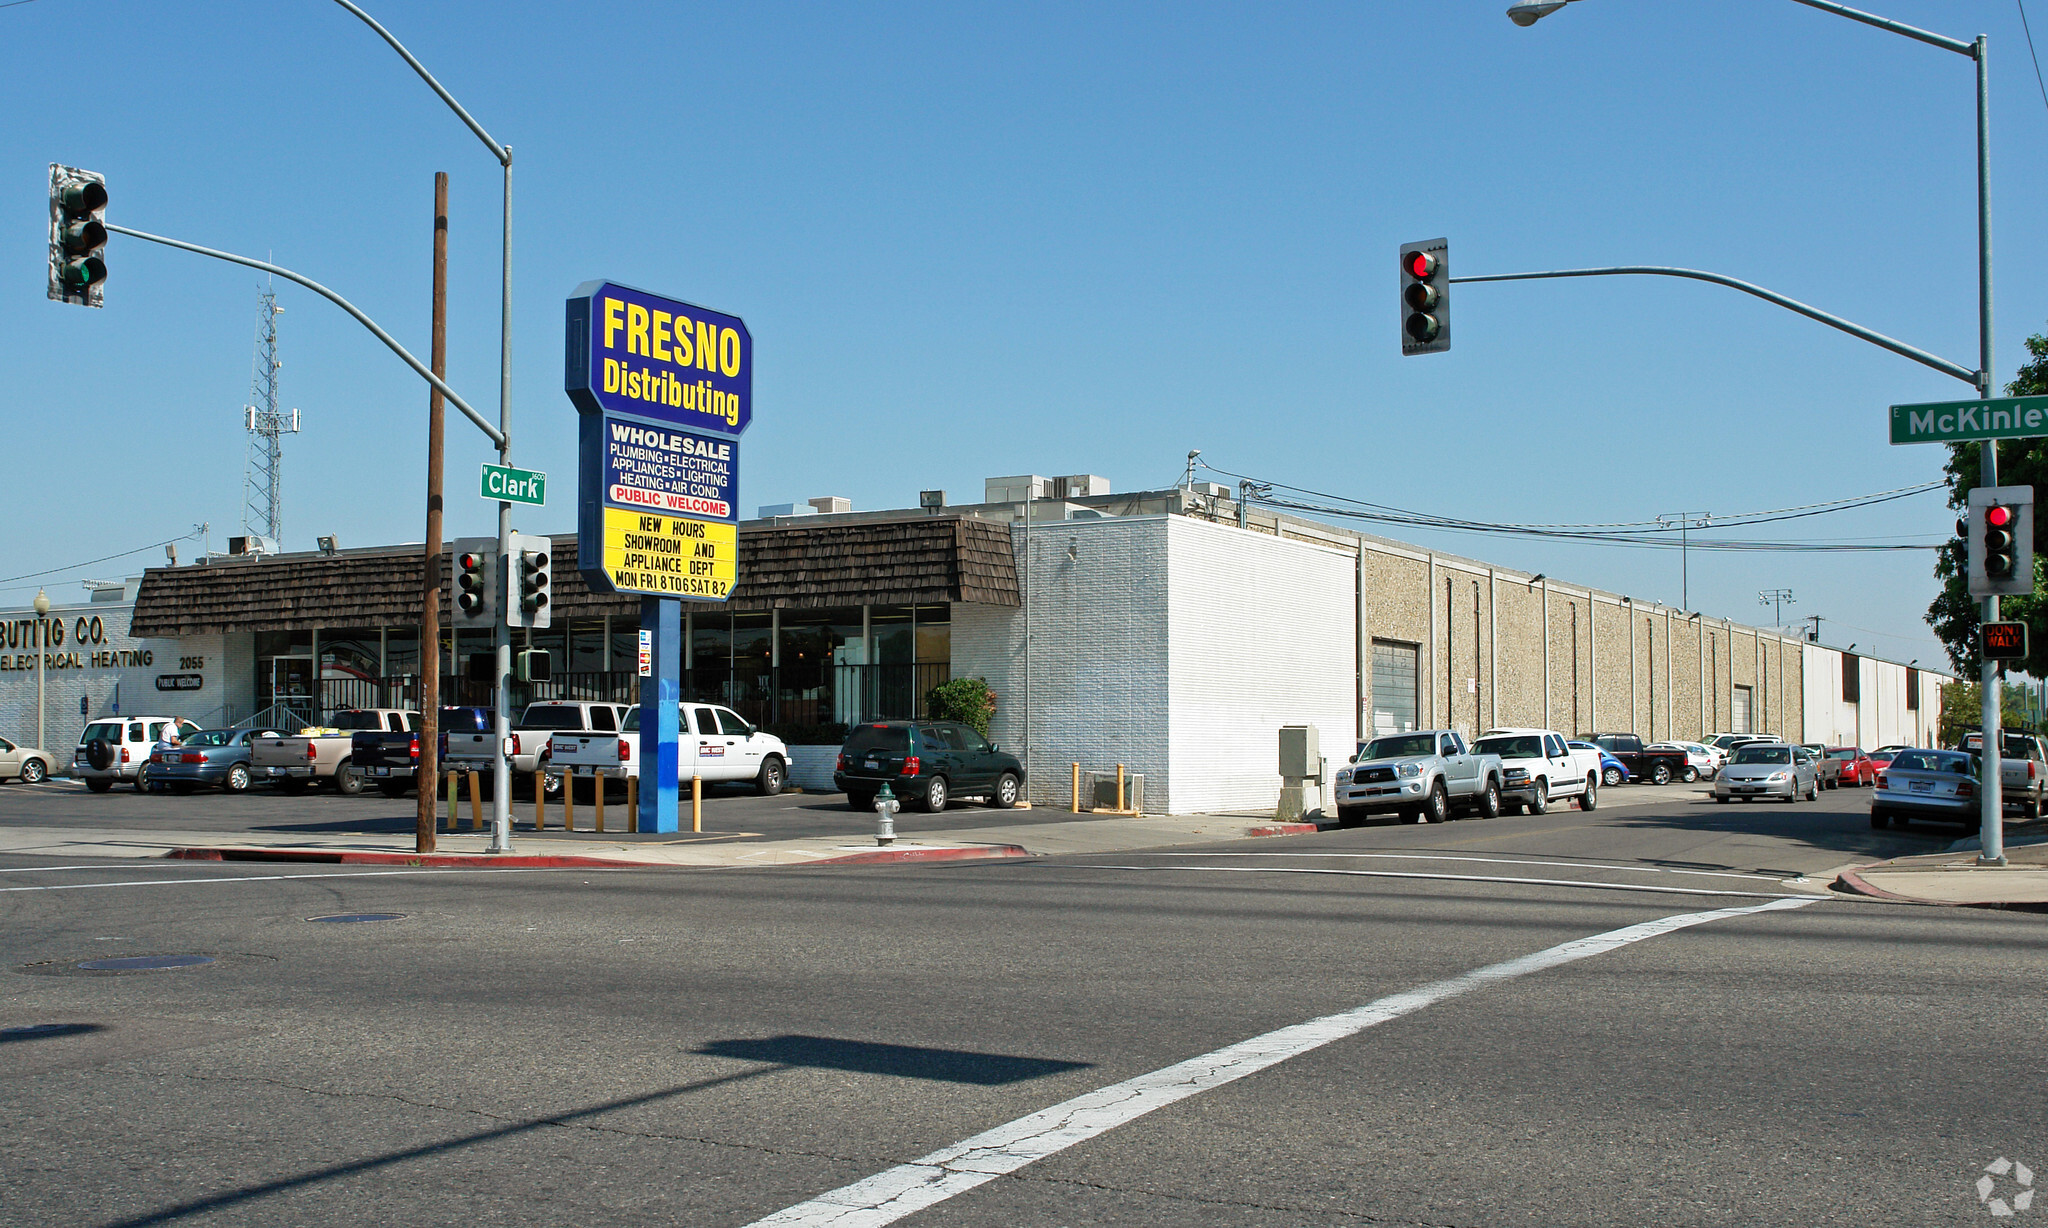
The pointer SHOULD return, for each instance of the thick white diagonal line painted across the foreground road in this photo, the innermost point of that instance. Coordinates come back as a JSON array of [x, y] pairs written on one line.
[[994, 1153]]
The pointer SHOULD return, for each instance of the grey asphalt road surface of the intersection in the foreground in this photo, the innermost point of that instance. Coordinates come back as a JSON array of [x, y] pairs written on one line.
[[720, 1047]]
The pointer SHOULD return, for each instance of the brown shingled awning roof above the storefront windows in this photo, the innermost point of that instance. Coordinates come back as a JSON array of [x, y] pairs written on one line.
[[923, 562]]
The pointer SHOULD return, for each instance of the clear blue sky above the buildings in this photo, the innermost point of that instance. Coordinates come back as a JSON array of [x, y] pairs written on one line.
[[1058, 238]]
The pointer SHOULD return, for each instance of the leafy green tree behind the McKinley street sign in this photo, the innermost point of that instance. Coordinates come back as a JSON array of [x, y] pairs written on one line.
[[1957, 615]]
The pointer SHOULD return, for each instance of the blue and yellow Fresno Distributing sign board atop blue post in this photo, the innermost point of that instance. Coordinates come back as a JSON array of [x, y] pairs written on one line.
[[663, 388]]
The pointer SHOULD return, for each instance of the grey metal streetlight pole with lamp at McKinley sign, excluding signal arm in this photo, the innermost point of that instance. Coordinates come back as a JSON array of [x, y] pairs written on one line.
[[1992, 816]]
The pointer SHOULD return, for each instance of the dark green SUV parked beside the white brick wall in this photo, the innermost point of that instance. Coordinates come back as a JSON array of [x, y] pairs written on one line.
[[929, 762]]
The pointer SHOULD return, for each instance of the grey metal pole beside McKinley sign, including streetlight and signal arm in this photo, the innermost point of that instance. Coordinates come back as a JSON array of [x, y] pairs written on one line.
[[1992, 818]]
